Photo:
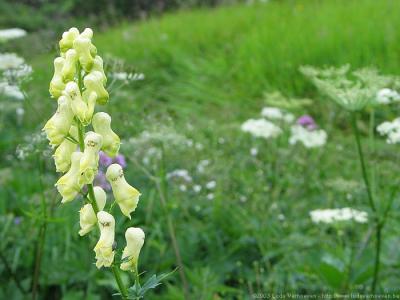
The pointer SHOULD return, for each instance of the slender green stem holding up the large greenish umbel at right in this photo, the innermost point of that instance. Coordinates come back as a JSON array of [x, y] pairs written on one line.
[[378, 224]]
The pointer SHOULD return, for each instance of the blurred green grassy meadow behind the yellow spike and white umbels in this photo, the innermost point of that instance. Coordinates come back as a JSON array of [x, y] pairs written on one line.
[[208, 68]]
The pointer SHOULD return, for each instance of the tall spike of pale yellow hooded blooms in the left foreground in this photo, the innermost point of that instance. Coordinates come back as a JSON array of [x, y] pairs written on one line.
[[78, 85]]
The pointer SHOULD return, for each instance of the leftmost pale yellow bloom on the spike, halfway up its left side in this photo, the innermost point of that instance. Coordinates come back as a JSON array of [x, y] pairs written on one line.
[[58, 126]]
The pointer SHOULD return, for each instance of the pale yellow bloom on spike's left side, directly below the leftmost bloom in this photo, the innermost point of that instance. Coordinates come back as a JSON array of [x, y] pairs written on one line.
[[62, 155]]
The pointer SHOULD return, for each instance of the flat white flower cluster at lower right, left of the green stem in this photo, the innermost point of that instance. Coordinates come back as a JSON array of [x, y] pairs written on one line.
[[338, 215]]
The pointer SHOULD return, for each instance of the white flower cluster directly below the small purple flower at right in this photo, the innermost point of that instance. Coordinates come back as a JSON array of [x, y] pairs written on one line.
[[309, 138]]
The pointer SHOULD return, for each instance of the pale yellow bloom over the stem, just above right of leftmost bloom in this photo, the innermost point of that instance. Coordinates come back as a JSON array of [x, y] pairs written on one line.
[[79, 107]]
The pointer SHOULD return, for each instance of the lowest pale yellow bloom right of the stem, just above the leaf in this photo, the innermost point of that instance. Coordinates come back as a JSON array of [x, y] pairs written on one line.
[[134, 243]]
